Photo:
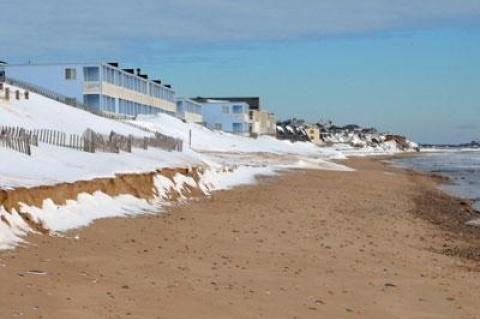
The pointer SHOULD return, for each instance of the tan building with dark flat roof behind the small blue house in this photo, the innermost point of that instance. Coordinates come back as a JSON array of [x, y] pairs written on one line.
[[262, 122]]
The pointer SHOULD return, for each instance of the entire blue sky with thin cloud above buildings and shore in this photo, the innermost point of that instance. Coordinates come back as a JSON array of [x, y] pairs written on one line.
[[405, 66]]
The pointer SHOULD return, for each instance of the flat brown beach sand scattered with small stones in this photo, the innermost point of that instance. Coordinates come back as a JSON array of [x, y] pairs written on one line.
[[379, 242]]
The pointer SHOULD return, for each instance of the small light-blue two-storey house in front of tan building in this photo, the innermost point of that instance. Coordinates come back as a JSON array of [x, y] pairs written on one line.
[[228, 116]]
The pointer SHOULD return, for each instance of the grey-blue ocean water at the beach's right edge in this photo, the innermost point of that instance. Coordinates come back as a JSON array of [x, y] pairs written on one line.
[[463, 168]]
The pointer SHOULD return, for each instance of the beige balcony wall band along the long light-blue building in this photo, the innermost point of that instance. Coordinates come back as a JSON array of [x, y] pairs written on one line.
[[126, 94]]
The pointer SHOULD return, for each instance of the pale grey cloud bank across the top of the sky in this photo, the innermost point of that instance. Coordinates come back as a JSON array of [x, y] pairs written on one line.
[[49, 25]]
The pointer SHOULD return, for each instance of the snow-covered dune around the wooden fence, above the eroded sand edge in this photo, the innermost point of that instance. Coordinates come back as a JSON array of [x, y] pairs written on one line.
[[51, 165]]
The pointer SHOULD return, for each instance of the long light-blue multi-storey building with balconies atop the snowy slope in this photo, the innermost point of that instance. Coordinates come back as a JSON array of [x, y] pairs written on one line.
[[103, 86]]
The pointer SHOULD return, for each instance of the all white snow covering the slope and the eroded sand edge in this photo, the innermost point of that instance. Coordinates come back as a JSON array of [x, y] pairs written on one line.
[[228, 161]]
